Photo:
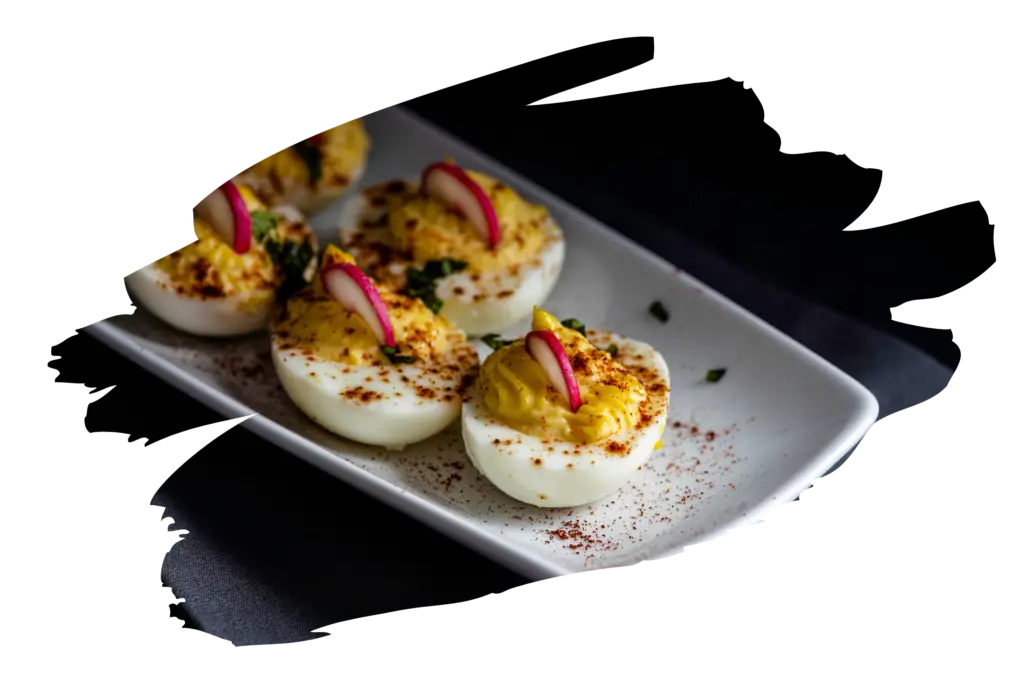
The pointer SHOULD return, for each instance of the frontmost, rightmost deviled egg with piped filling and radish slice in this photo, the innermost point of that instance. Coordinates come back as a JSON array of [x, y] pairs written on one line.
[[565, 417]]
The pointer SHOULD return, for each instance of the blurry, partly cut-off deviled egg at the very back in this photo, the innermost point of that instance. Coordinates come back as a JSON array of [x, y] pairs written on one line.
[[312, 172]]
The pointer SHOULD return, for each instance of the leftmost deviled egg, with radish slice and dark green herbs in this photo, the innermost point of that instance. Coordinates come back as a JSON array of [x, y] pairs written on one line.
[[243, 256]]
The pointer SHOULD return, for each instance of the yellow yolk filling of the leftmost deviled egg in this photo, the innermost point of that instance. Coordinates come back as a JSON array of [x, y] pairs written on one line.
[[208, 268]]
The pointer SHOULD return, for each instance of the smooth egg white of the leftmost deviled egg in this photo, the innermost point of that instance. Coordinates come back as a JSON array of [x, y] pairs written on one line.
[[223, 317]]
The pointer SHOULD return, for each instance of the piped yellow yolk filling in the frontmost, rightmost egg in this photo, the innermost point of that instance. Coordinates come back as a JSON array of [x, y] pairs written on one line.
[[518, 394]]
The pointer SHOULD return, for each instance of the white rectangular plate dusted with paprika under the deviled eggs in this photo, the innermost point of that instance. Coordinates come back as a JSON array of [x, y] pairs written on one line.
[[735, 452]]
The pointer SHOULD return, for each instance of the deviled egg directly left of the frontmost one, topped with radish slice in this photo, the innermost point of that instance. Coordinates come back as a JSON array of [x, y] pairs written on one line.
[[369, 364]]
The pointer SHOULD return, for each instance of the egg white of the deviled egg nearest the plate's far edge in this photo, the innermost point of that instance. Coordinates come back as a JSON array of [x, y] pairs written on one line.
[[488, 306]]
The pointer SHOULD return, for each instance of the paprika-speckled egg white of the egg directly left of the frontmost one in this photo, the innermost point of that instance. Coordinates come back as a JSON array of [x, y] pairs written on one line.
[[370, 405]]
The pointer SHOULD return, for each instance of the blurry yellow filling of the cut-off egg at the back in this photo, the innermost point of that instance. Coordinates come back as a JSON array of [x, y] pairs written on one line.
[[344, 151]]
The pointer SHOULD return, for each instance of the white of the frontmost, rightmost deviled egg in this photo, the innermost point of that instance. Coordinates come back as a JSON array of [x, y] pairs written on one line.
[[551, 474]]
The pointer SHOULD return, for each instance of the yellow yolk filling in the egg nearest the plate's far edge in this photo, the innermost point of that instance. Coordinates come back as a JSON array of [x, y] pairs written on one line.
[[430, 230]]
